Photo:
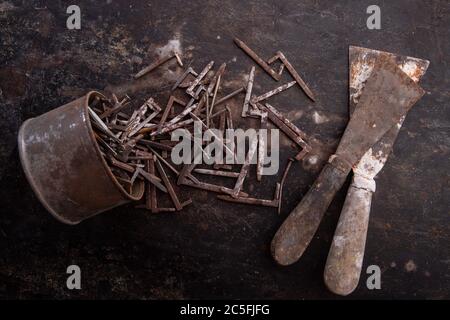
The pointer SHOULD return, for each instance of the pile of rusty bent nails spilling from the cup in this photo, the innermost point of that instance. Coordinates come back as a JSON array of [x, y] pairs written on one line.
[[137, 144]]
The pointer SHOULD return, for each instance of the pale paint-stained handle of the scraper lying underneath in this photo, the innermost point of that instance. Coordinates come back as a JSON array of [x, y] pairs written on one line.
[[343, 267]]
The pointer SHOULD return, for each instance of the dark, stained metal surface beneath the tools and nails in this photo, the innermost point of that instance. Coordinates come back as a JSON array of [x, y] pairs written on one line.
[[214, 249]]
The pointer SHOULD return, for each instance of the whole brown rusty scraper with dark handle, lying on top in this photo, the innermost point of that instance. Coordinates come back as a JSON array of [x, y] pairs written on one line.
[[388, 95]]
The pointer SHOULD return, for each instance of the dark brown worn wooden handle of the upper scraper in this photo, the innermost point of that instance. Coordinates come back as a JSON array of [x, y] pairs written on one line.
[[299, 228]]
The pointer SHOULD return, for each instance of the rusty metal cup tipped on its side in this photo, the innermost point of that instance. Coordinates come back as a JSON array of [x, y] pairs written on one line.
[[65, 167]]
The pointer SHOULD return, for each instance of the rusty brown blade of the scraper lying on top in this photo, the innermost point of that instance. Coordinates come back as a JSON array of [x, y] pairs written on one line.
[[388, 95]]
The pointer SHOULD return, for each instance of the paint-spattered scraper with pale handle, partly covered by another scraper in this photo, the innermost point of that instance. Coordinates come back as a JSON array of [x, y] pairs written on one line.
[[345, 258]]
